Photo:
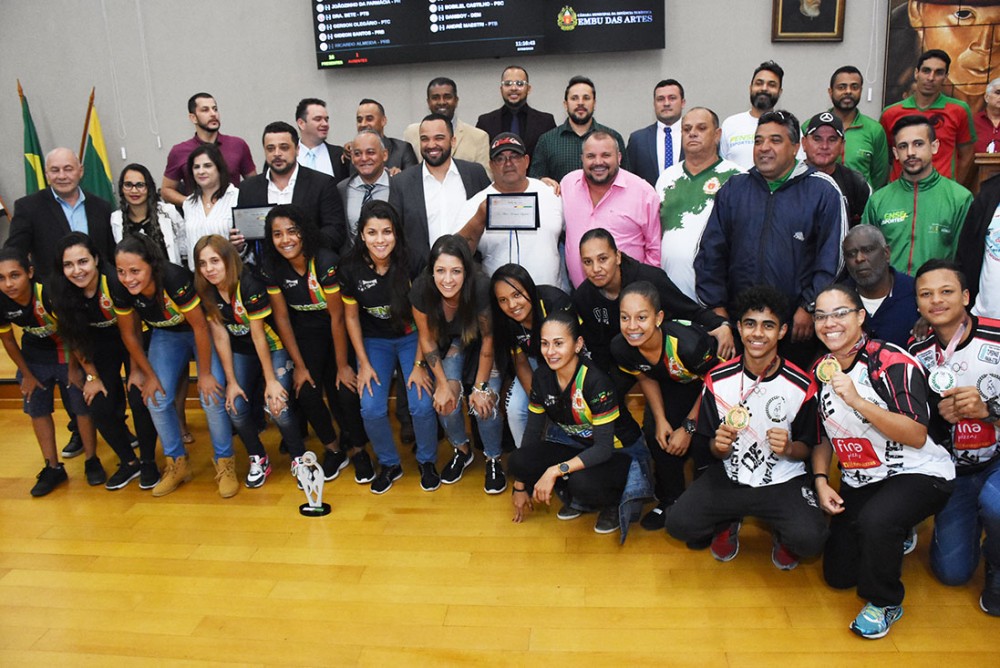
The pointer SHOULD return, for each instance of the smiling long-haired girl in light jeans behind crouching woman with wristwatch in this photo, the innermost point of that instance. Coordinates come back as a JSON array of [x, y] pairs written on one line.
[[518, 308]]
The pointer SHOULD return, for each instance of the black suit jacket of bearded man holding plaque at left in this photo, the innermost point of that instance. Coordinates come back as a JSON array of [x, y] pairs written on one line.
[[315, 192]]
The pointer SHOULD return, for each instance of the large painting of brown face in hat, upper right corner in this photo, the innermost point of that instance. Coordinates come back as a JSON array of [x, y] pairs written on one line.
[[966, 31]]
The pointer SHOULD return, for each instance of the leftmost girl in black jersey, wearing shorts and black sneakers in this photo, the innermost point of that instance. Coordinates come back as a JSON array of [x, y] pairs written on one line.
[[41, 364]]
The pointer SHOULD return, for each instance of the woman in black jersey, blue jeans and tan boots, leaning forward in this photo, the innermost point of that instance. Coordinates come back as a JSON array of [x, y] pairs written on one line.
[[162, 295]]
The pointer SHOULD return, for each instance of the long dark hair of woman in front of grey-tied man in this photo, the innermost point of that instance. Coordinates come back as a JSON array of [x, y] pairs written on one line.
[[398, 277]]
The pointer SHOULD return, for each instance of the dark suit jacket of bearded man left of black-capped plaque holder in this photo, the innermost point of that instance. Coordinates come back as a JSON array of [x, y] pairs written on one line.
[[407, 195]]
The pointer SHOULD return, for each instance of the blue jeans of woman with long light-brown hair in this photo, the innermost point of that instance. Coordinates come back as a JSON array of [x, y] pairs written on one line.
[[248, 372]]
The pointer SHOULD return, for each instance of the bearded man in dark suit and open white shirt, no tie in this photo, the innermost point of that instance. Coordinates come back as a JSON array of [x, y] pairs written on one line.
[[430, 197]]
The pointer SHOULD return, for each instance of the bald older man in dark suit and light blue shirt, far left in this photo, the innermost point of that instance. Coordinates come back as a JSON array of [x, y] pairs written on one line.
[[43, 218]]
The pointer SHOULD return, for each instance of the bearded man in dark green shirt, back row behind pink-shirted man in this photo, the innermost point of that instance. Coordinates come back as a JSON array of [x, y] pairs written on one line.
[[558, 150]]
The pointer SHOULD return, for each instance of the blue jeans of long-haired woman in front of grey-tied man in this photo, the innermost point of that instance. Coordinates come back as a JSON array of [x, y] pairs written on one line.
[[383, 355]]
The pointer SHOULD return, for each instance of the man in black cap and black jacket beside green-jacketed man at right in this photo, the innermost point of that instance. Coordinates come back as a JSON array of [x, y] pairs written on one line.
[[823, 143]]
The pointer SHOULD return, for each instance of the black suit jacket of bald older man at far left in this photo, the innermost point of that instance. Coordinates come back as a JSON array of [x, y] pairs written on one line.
[[39, 223]]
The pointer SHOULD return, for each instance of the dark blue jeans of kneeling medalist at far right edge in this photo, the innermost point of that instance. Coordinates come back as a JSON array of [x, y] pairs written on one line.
[[973, 506]]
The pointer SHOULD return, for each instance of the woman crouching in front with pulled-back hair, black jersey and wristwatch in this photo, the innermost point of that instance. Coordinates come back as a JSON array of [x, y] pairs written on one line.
[[587, 453]]
